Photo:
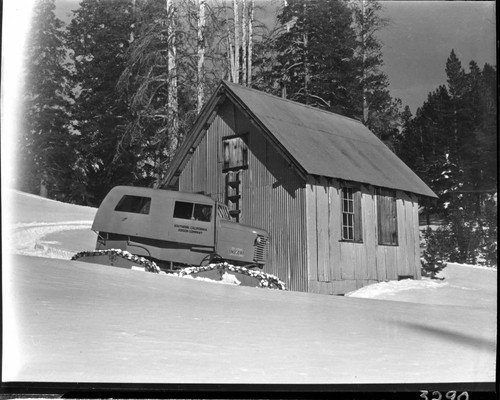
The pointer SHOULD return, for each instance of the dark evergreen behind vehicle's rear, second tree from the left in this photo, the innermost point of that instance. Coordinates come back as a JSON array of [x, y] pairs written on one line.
[[99, 36]]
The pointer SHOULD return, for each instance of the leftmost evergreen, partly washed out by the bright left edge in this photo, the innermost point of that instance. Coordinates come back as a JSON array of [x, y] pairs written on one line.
[[46, 146]]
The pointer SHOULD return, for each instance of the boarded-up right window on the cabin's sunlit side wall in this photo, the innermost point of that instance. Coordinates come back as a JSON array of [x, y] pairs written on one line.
[[387, 218]]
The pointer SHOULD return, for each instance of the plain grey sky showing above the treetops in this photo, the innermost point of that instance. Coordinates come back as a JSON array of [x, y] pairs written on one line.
[[418, 41]]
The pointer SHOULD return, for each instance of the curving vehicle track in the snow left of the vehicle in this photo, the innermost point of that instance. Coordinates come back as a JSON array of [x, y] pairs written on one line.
[[27, 238]]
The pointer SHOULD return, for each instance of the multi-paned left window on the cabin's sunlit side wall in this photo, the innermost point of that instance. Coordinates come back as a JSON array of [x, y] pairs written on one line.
[[351, 214]]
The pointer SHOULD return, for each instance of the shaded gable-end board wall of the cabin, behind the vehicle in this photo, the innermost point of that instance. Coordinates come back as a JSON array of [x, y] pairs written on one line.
[[272, 195]]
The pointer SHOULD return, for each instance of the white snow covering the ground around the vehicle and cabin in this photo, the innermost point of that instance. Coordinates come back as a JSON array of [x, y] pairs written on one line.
[[68, 321]]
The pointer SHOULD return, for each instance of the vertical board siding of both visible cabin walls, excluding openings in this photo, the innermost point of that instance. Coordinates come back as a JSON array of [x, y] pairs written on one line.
[[303, 218]]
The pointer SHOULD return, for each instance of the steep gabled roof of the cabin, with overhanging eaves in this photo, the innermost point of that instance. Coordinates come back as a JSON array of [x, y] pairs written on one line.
[[317, 141]]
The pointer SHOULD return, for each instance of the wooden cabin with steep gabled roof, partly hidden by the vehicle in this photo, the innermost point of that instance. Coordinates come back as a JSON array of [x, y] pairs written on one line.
[[340, 207]]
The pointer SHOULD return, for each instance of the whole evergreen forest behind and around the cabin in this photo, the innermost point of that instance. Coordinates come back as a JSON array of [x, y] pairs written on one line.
[[109, 97]]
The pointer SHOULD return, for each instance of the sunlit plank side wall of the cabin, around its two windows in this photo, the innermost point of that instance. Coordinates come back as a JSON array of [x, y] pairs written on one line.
[[337, 267]]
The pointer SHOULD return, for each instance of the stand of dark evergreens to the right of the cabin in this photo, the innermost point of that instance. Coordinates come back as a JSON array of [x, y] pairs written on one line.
[[454, 135]]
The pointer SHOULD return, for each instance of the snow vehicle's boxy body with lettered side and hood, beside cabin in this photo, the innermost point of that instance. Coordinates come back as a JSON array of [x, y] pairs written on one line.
[[174, 229]]
